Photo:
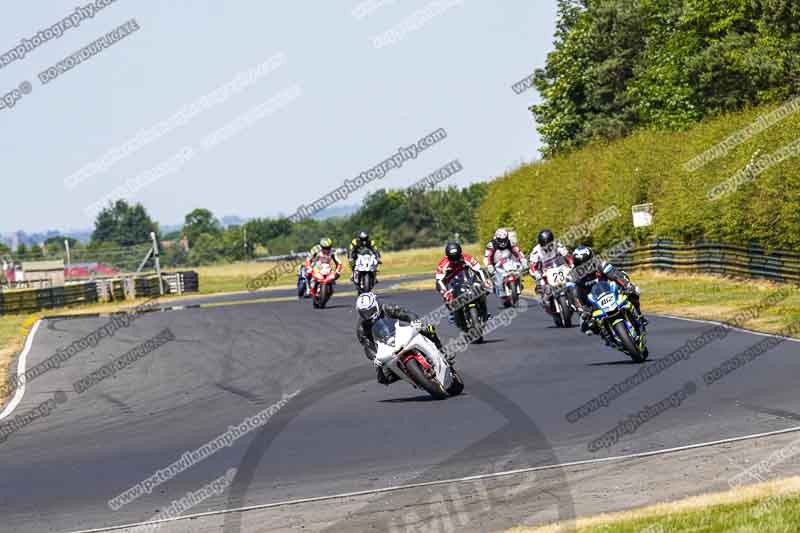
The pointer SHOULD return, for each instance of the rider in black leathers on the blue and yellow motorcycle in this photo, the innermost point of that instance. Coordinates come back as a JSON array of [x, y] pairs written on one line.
[[588, 270]]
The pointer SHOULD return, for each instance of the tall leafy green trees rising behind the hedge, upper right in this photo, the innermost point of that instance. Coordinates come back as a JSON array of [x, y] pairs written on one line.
[[619, 65]]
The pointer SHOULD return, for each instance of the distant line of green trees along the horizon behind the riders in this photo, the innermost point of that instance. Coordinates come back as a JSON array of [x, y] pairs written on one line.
[[395, 219]]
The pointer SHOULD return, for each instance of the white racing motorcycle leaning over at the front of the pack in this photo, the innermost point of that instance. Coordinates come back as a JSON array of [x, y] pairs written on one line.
[[415, 359]]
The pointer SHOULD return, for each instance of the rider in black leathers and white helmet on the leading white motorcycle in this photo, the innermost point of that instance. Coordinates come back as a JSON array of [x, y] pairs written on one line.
[[369, 310]]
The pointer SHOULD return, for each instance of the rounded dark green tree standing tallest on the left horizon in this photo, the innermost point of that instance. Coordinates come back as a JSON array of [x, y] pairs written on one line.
[[123, 224]]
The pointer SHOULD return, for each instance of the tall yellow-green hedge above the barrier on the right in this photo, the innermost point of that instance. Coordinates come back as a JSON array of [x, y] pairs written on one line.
[[648, 166]]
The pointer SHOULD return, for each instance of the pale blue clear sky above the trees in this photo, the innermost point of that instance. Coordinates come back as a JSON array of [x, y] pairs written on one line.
[[353, 103]]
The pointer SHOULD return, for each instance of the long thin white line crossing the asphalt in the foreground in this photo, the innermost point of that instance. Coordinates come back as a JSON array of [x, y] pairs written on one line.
[[315, 499]]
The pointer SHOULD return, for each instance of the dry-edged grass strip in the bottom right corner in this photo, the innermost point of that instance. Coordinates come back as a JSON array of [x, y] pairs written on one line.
[[772, 506]]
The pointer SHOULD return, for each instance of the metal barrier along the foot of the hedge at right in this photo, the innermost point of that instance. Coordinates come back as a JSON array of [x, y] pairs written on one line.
[[749, 261]]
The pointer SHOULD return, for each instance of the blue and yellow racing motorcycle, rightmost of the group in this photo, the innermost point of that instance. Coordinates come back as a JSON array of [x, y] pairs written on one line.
[[618, 320]]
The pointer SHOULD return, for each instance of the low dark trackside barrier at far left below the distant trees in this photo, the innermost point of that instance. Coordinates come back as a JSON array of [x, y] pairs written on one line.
[[31, 300]]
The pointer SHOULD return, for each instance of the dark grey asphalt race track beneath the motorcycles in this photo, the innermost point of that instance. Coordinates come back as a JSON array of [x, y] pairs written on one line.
[[344, 432]]
